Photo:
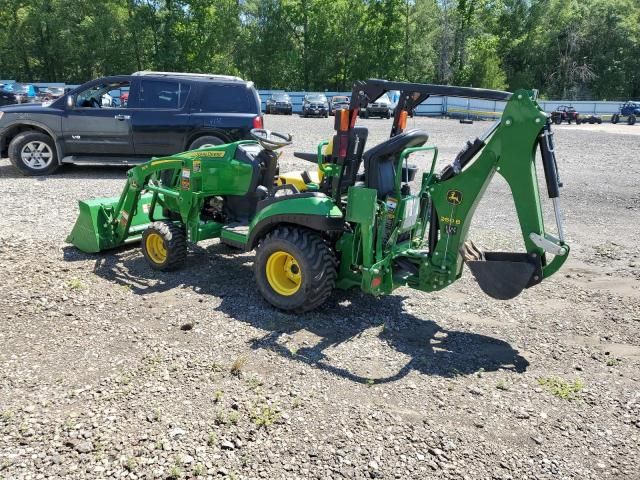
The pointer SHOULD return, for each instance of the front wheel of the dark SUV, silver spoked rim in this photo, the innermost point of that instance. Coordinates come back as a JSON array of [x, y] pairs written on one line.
[[33, 153]]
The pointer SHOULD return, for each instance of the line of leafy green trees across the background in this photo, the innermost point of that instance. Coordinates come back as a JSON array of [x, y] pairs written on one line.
[[566, 48]]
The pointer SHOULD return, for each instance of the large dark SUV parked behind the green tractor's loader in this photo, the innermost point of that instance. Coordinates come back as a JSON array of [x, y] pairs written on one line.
[[166, 113]]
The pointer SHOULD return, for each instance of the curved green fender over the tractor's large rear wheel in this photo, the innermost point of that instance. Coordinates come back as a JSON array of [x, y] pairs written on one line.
[[311, 210]]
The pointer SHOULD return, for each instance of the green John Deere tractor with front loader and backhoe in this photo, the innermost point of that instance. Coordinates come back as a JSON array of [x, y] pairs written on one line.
[[354, 220]]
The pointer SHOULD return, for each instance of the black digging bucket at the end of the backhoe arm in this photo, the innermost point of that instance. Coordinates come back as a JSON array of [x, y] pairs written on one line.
[[503, 275]]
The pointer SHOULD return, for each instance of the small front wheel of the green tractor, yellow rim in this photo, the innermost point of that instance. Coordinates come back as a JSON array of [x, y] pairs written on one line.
[[164, 245]]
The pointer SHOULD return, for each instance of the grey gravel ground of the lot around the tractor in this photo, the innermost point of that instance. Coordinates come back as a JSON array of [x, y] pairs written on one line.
[[111, 370]]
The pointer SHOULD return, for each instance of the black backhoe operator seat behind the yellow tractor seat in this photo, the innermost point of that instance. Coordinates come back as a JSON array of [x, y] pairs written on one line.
[[380, 161]]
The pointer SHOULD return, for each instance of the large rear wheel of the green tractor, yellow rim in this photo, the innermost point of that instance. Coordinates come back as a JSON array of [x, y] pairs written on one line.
[[295, 269]]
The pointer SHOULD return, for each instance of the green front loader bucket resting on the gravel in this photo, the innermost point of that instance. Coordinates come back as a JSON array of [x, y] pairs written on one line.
[[96, 228]]
